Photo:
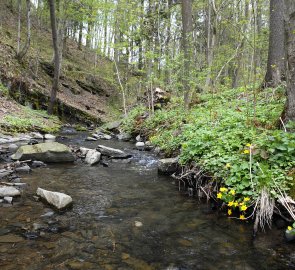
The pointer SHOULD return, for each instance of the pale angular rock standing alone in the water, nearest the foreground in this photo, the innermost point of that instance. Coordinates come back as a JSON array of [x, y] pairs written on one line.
[[57, 199]]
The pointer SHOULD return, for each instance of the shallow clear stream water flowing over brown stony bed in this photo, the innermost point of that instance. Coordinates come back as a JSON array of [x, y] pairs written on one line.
[[126, 216]]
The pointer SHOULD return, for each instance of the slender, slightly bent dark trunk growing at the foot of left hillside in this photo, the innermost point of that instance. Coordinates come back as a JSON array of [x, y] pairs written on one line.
[[57, 63]]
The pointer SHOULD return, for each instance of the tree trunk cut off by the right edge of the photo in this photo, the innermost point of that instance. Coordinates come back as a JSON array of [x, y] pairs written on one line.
[[290, 71]]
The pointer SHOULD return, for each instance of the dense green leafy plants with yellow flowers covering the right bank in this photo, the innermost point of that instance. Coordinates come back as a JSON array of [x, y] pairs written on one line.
[[232, 135]]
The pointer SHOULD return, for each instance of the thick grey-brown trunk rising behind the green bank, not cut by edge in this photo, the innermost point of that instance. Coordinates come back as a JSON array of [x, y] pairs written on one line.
[[276, 52]]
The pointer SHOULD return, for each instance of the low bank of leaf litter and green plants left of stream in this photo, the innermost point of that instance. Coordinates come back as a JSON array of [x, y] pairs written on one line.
[[16, 118]]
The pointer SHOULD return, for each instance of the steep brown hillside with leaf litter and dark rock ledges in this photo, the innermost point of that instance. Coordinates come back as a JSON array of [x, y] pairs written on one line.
[[86, 87]]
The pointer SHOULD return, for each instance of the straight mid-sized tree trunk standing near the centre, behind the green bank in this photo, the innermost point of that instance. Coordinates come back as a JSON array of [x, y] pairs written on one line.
[[187, 27]]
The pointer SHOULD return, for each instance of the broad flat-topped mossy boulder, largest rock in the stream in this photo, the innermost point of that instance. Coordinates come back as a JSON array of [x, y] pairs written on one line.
[[50, 152]]
